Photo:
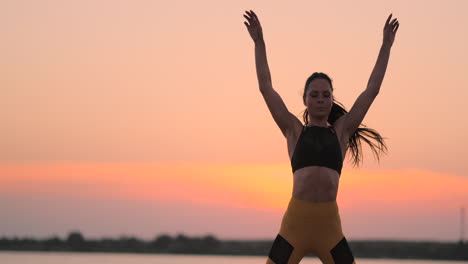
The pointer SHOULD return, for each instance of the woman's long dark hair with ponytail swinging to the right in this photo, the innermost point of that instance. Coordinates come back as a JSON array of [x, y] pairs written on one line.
[[362, 133]]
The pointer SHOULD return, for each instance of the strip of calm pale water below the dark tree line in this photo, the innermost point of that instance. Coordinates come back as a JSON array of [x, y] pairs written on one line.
[[15, 257]]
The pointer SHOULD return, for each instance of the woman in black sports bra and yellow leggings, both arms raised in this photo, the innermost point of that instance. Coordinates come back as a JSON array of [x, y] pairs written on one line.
[[311, 223]]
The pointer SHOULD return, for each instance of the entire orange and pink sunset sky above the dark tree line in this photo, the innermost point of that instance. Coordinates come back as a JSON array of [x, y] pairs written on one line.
[[144, 117]]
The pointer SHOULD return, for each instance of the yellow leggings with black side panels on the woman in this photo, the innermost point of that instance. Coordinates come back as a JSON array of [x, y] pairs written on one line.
[[310, 227]]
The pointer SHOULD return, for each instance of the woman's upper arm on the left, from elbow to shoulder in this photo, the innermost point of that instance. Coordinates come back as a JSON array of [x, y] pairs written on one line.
[[285, 120]]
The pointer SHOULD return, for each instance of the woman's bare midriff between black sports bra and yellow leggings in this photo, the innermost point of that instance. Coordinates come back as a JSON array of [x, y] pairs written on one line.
[[316, 184]]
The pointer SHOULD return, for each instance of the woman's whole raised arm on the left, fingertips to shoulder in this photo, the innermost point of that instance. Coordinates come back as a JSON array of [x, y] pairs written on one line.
[[283, 118]]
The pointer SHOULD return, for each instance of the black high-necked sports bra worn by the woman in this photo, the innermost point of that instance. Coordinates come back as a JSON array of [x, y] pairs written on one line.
[[317, 146]]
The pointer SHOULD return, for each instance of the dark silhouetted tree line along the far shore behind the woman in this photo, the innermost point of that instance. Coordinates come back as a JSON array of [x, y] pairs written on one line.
[[182, 244]]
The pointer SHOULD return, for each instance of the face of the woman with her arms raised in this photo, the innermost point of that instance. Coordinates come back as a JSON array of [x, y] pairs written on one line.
[[319, 98]]
